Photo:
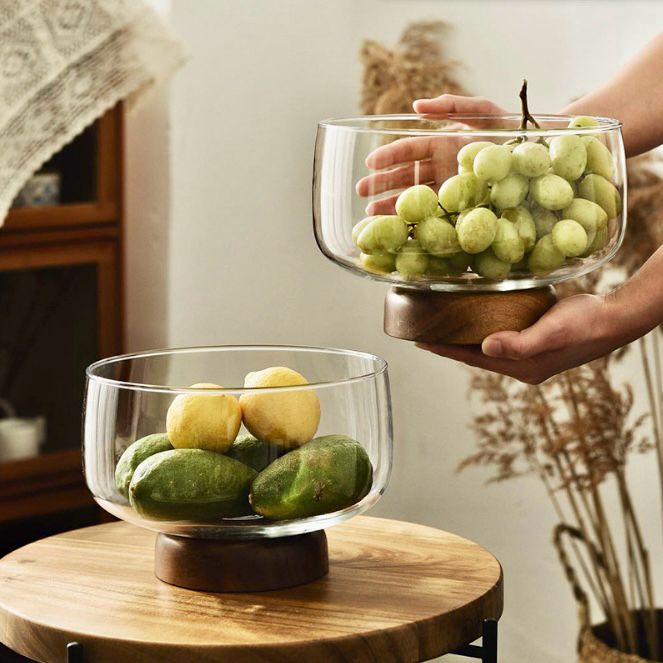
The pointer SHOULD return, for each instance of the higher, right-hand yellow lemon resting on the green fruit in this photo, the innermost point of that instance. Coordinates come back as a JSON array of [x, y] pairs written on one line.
[[287, 419]]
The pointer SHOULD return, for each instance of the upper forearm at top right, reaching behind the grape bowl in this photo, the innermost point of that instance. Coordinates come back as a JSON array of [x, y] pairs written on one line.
[[635, 97]]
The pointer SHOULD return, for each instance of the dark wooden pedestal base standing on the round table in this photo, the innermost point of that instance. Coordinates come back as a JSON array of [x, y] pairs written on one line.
[[252, 565]]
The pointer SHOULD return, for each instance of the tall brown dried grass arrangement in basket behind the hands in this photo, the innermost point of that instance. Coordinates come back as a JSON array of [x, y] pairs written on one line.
[[576, 431]]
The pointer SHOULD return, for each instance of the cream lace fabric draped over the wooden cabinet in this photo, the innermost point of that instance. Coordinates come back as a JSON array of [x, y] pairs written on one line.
[[63, 63]]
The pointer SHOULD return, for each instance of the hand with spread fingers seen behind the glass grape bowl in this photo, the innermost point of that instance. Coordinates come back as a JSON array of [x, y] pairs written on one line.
[[421, 159]]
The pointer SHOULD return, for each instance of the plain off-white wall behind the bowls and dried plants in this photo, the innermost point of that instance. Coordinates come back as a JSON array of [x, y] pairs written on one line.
[[242, 266]]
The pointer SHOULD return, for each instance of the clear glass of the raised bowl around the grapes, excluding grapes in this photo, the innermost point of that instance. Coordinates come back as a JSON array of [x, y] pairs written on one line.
[[351, 183]]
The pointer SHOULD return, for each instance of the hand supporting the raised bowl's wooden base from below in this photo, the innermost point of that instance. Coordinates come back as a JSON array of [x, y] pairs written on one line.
[[574, 331]]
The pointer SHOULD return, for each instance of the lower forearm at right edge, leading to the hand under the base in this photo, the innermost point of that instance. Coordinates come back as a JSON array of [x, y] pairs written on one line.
[[636, 307]]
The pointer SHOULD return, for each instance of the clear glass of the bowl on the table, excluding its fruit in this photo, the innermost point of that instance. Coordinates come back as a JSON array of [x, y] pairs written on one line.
[[128, 398]]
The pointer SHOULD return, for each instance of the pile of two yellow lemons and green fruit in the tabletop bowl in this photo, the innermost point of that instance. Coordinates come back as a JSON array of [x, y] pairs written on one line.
[[200, 470]]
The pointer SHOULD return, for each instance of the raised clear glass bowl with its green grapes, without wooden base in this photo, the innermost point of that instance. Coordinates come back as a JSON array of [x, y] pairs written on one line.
[[469, 203]]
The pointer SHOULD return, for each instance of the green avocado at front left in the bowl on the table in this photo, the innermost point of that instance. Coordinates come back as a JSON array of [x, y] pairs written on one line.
[[191, 484]]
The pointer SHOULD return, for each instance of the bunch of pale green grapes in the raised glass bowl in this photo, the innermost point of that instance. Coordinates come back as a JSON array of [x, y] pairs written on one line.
[[522, 206]]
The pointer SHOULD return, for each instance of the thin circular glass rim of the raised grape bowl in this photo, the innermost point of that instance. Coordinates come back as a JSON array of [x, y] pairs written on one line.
[[354, 124]]
